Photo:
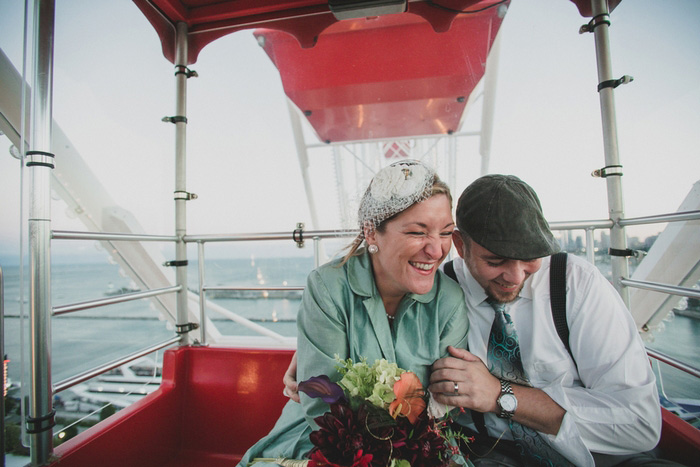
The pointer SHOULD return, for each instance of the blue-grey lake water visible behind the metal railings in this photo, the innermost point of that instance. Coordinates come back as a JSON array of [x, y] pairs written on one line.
[[85, 339]]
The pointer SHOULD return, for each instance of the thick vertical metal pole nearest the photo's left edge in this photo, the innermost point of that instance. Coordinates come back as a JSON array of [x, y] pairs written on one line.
[[40, 162]]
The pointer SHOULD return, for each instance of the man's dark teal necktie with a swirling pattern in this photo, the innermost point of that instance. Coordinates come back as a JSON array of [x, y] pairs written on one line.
[[505, 363]]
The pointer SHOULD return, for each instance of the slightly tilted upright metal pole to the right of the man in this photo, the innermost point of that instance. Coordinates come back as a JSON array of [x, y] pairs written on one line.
[[618, 238]]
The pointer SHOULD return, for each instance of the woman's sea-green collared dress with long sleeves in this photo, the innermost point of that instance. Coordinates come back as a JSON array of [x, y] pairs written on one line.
[[343, 314]]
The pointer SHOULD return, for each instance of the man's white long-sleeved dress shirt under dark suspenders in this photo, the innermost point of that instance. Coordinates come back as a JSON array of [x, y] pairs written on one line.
[[611, 400]]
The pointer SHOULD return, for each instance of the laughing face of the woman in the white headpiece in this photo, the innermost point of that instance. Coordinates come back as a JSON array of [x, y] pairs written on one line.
[[411, 247]]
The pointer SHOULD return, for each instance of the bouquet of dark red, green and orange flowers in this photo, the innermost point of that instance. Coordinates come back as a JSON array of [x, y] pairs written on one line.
[[378, 417]]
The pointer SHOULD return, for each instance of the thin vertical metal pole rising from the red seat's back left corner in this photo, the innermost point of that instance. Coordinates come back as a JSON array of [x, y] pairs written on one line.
[[181, 196]]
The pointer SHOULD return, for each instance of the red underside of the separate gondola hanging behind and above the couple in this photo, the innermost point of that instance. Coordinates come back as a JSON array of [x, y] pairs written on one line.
[[399, 78]]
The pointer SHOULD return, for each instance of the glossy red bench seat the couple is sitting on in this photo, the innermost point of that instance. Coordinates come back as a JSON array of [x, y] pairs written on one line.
[[214, 403]]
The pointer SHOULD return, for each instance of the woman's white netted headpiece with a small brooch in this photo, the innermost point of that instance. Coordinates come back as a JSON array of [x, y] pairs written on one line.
[[394, 189]]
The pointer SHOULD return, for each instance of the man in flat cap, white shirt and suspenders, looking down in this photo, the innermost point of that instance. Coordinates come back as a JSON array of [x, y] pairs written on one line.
[[598, 404]]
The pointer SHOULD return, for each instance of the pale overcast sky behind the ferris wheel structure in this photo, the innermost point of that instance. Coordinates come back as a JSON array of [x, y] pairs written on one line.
[[112, 87]]
